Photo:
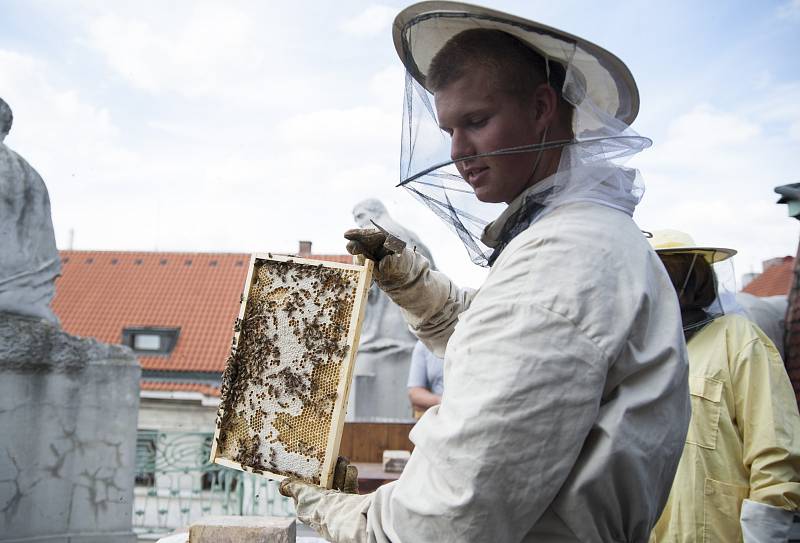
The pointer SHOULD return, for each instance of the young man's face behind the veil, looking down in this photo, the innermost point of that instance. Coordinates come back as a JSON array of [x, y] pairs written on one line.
[[481, 118]]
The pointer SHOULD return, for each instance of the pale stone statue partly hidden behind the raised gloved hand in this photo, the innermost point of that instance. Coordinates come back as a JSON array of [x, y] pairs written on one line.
[[384, 352]]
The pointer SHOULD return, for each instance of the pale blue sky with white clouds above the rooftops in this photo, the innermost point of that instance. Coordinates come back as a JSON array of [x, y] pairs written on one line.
[[246, 126]]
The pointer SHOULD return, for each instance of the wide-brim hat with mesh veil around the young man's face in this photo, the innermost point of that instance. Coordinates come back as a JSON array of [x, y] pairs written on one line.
[[590, 167]]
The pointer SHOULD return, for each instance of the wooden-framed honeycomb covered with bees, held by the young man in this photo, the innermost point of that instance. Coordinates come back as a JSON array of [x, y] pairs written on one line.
[[281, 387]]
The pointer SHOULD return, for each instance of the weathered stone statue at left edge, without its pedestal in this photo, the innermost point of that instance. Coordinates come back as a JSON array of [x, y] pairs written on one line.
[[30, 261]]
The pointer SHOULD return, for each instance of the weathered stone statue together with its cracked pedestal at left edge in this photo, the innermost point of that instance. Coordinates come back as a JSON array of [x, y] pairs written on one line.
[[68, 405]]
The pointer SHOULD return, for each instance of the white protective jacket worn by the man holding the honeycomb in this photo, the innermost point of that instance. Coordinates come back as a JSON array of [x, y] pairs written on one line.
[[565, 405]]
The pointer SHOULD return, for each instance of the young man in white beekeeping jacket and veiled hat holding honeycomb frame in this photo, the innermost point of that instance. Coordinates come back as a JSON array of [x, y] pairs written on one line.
[[565, 404]]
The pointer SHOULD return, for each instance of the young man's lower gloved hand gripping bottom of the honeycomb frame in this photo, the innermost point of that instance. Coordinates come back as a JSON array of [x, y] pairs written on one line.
[[338, 515]]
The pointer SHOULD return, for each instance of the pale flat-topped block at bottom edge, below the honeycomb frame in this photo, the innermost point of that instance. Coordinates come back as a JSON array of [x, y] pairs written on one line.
[[243, 530]]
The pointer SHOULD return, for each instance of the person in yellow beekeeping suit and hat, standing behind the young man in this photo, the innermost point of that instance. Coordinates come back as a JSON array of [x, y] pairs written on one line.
[[739, 476]]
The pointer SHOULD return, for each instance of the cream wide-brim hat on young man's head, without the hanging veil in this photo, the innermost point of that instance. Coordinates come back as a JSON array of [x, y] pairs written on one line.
[[422, 29]]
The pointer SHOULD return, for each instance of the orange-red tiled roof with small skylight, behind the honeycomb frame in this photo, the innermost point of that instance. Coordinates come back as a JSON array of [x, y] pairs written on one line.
[[99, 293]]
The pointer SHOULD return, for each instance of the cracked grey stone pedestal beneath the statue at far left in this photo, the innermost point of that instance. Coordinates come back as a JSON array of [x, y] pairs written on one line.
[[68, 411]]
